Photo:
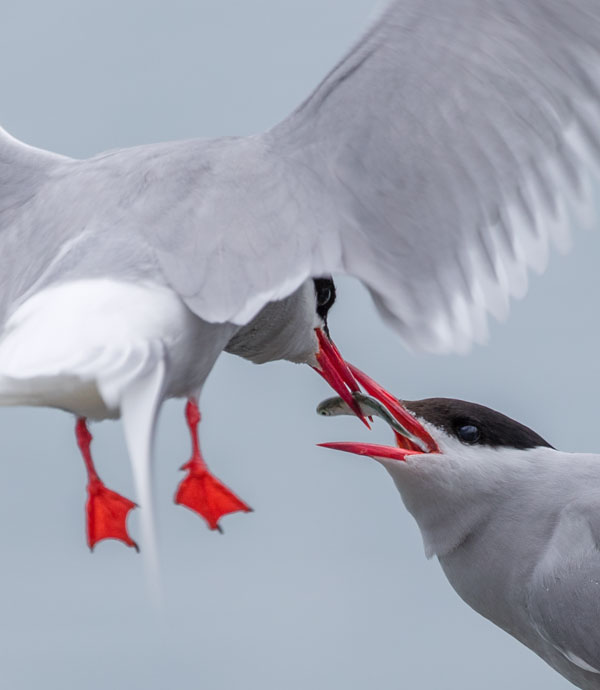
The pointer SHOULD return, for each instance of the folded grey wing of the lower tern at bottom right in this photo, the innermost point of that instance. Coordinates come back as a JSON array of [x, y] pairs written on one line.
[[564, 591]]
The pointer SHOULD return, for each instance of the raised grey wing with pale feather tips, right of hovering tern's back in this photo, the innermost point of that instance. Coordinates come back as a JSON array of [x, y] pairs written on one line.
[[449, 144]]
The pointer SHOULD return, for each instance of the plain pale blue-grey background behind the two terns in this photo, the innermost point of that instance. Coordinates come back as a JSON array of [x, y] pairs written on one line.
[[326, 584]]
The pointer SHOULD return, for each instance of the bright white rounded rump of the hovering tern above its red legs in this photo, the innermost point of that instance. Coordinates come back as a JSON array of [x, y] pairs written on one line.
[[78, 345]]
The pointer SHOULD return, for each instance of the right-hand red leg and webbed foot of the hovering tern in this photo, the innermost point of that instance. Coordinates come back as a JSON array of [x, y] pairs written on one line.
[[200, 490]]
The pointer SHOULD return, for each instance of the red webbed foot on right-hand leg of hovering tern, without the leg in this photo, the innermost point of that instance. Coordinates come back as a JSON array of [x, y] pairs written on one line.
[[203, 493]]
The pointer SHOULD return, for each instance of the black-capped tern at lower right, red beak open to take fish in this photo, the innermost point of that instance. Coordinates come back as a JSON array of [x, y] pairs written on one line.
[[513, 522]]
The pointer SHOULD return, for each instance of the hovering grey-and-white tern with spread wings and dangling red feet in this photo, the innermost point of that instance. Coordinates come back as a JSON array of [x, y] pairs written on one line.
[[436, 163]]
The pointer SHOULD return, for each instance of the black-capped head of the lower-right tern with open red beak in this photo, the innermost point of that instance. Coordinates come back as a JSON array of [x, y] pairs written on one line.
[[452, 461]]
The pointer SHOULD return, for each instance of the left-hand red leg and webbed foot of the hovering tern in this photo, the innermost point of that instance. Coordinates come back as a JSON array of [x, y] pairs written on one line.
[[105, 510]]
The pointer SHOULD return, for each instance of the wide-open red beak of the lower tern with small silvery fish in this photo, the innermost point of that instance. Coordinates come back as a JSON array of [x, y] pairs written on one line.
[[411, 436]]
